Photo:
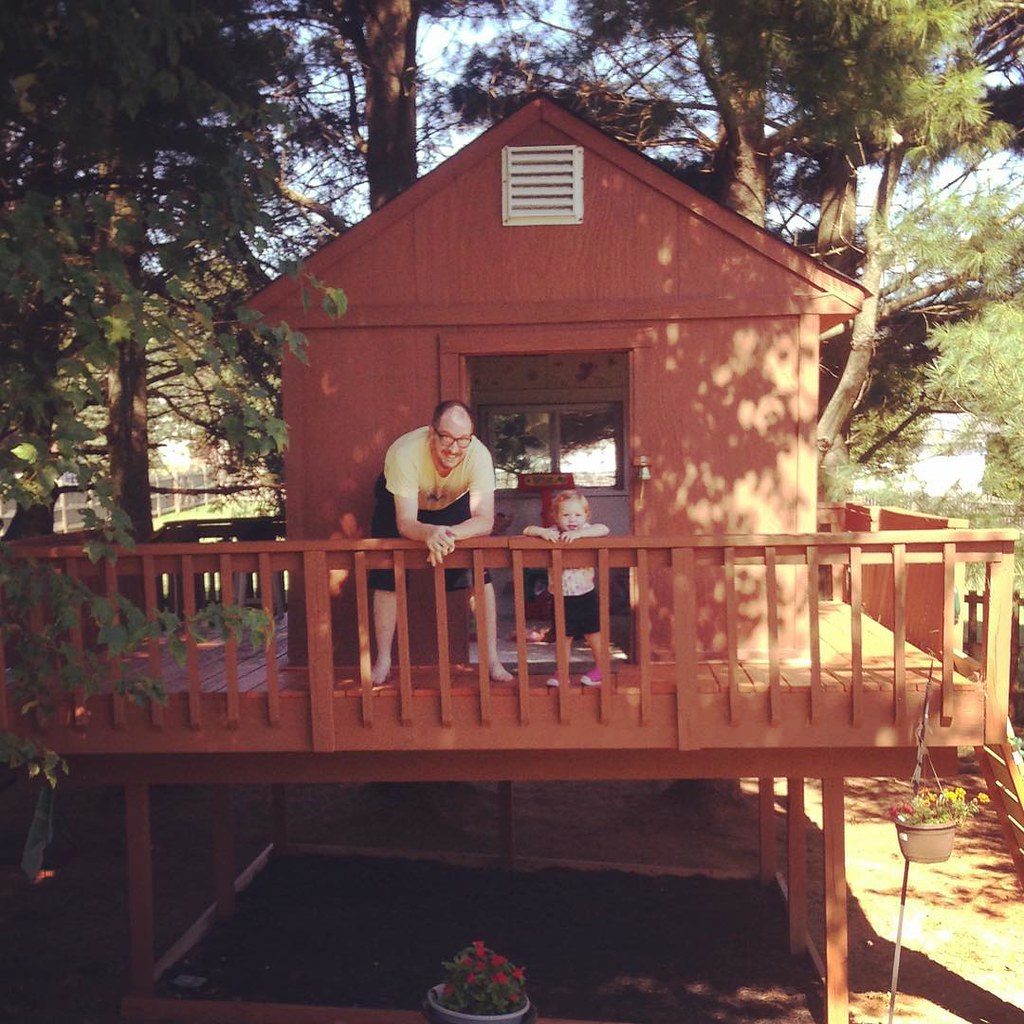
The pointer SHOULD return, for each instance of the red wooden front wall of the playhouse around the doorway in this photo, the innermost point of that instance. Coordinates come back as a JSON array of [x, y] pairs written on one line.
[[723, 365]]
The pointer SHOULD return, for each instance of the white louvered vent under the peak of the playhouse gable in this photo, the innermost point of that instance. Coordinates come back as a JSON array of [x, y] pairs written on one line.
[[542, 185]]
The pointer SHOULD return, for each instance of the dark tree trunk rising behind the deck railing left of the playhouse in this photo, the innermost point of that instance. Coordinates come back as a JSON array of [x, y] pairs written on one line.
[[129, 438]]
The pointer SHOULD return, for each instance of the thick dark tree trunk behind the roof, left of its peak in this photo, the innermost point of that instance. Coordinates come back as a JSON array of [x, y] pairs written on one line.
[[390, 69]]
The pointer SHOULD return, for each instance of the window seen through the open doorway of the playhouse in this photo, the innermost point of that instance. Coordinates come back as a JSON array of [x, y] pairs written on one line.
[[585, 441]]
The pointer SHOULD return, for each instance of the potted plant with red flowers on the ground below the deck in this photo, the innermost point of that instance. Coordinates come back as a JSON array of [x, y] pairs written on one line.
[[480, 986]]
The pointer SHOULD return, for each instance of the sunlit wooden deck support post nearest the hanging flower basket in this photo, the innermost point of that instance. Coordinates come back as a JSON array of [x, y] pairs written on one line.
[[837, 937]]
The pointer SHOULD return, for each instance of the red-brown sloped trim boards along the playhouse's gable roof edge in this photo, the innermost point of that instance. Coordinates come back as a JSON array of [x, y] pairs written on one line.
[[543, 109]]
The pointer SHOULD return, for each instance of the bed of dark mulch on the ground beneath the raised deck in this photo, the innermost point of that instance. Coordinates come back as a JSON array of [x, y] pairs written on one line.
[[598, 946]]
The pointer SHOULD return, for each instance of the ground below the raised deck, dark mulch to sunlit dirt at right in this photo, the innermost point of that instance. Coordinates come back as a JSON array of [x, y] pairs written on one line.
[[601, 944]]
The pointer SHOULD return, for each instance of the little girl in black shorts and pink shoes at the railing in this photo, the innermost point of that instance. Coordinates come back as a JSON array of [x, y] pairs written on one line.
[[571, 511]]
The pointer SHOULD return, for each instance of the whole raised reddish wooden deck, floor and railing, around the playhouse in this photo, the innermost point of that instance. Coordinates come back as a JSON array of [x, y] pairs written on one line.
[[793, 675]]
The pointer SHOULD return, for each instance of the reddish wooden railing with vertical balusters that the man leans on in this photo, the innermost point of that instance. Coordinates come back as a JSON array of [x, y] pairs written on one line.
[[702, 605]]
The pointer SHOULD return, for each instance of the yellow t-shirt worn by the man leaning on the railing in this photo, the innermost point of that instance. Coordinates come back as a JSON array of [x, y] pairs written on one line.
[[410, 472]]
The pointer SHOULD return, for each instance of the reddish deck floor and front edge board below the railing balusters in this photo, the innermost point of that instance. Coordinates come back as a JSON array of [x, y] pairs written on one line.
[[621, 715]]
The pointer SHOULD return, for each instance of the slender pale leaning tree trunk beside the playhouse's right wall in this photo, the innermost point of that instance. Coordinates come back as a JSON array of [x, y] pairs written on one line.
[[835, 422]]
